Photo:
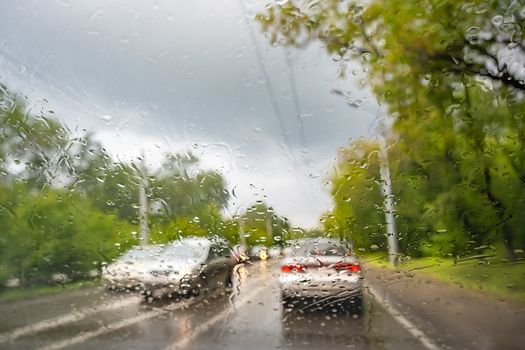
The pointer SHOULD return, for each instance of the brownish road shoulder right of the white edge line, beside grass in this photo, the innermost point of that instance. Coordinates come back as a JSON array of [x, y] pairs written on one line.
[[451, 315]]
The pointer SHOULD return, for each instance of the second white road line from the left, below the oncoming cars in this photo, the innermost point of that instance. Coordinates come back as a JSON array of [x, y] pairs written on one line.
[[115, 326]]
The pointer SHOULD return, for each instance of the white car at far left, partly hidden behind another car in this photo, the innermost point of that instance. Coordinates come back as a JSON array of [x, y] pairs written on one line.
[[127, 272]]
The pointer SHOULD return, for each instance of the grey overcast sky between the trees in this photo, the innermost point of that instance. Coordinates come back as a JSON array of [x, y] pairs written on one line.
[[171, 76]]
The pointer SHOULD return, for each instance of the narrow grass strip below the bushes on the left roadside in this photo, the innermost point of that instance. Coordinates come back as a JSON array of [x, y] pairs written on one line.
[[12, 294]]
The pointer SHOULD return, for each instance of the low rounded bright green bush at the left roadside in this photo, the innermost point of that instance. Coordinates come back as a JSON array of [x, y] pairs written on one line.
[[56, 231]]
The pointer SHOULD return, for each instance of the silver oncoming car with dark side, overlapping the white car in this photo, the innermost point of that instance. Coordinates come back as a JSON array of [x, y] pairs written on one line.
[[188, 267]]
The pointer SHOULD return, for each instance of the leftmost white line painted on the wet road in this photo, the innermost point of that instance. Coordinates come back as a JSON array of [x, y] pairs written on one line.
[[64, 319]]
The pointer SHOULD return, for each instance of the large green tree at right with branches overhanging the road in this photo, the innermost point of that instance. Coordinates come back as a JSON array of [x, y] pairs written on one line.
[[448, 73]]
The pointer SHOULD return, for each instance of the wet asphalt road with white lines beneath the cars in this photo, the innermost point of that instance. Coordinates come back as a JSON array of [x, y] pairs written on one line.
[[249, 316]]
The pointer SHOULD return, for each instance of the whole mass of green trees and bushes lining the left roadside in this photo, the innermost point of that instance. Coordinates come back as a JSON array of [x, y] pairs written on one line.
[[67, 207]]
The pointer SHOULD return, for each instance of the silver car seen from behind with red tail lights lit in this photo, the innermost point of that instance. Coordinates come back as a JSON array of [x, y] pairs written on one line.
[[324, 270]]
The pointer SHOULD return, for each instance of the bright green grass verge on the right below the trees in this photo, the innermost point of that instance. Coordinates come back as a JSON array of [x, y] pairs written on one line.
[[495, 276]]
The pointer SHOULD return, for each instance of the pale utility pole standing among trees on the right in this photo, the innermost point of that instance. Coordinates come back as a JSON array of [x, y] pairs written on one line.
[[388, 204]]
